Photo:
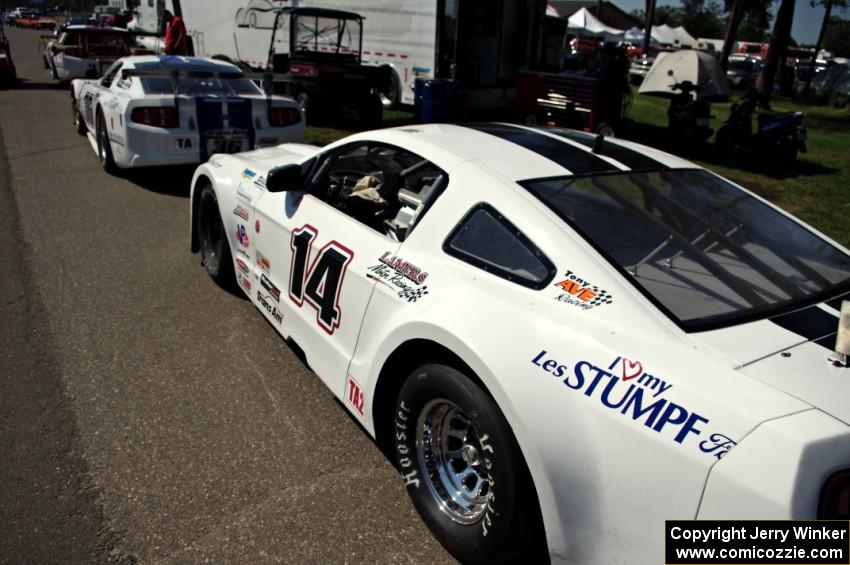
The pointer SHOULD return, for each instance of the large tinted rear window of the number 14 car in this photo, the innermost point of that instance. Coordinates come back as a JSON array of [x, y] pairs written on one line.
[[699, 247]]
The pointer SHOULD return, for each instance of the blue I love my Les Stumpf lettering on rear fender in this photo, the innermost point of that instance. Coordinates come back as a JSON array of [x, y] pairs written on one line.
[[624, 386]]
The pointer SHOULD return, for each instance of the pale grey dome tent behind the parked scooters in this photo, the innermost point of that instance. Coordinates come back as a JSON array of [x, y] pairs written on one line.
[[697, 67]]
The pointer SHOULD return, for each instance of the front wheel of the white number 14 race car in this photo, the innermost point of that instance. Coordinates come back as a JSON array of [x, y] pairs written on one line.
[[215, 251]]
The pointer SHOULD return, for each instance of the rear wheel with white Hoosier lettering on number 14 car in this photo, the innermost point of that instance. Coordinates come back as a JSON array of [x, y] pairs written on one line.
[[463, 468]]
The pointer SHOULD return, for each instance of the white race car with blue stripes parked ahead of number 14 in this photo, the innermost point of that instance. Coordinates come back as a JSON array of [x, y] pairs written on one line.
[[165, 110]]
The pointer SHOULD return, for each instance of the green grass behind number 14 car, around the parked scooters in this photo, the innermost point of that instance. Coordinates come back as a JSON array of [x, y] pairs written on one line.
[[816, 188]]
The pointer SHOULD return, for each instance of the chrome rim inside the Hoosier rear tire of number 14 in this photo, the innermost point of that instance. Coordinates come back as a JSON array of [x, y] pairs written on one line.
[[452, 461]]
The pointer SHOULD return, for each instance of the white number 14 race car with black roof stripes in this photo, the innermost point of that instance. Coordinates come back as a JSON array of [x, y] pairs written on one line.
[[550, 331]]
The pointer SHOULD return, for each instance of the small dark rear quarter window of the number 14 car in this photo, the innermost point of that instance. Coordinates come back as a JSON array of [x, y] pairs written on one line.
[[486, 239]]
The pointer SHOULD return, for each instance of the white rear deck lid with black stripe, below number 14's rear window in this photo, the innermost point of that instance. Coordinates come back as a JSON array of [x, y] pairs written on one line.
[[790, 353]]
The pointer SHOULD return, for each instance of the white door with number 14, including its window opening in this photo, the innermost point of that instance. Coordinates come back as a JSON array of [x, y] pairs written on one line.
[[314, 252]]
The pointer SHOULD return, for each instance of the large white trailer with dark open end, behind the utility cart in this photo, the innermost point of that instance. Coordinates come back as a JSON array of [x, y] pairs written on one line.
[[480, 44]]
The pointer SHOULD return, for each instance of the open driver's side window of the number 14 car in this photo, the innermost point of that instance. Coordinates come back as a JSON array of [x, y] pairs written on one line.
[[384, 187]]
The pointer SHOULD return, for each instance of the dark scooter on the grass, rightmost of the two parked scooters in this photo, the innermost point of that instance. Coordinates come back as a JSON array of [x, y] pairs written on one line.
[[782, 135]]
